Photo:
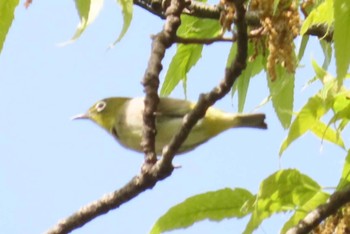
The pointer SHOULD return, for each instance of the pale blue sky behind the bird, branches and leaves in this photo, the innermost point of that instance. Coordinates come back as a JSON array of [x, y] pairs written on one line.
[[50, 166]]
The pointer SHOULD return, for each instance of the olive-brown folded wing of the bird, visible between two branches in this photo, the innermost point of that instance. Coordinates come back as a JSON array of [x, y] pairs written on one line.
[[169, 107]]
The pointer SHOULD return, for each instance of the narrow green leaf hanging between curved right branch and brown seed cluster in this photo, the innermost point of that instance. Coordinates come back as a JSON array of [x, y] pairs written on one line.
[[253, 68]]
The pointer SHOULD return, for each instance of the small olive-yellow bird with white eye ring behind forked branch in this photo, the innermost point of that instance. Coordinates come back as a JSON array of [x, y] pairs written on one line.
[[122, 117]]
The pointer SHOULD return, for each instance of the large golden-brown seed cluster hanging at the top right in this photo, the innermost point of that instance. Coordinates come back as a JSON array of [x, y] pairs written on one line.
[[280, 26]]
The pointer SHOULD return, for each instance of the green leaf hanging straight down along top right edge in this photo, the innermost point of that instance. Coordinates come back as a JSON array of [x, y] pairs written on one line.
[[341, 36]]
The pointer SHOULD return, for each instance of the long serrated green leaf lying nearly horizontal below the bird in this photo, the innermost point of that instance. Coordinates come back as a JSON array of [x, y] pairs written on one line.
[[218, 205]]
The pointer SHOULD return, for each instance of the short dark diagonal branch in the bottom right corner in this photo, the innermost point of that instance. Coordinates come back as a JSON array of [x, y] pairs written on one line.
[[315, 217]]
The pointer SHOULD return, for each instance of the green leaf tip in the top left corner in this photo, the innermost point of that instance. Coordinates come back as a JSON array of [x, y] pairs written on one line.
[[7, 12]]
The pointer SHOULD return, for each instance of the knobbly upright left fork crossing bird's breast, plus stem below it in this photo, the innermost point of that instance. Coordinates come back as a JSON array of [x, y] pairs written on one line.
[[148, 178]]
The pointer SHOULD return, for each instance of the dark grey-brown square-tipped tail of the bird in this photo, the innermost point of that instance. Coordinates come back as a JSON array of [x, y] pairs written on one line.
[[251, 120]]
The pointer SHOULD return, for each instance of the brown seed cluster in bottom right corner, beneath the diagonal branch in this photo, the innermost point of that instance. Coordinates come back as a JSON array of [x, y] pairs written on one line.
[[335, 224]]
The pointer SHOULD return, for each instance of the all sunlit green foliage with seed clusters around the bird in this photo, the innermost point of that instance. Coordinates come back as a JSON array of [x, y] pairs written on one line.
[[273, 25]]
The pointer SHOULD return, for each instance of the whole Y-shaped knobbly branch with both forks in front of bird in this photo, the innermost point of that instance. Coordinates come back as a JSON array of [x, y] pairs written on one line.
[[163, 168]]
